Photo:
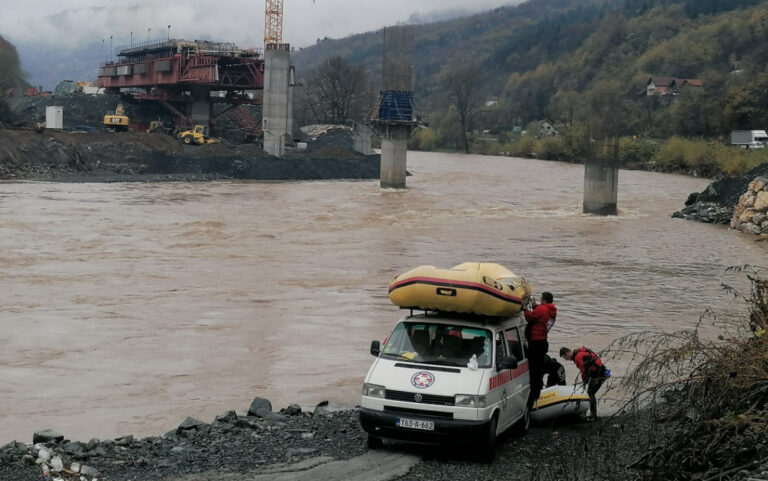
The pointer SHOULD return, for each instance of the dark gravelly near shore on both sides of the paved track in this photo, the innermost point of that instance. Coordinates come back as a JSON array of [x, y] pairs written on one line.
[[261, 442]]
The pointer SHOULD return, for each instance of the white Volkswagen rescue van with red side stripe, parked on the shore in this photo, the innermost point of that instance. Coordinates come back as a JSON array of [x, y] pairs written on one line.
[[442, 377]]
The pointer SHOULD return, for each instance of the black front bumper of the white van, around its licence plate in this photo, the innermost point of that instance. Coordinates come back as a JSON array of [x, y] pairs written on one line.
[[383, 424]]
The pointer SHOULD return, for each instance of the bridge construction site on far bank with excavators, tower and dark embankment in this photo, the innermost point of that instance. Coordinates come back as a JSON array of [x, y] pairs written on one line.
[[181, 109]]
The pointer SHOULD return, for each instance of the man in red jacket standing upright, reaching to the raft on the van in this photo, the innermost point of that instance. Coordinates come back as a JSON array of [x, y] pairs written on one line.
[[540, 320]]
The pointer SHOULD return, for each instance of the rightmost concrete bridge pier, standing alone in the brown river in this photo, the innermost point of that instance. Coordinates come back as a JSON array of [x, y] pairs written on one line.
[[601, 179]]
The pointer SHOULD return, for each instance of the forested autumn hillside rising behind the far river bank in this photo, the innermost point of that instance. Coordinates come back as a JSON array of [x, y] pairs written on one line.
[[588, 62]]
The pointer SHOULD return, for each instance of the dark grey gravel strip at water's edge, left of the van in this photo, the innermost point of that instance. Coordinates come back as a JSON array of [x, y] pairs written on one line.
[[231, 443]]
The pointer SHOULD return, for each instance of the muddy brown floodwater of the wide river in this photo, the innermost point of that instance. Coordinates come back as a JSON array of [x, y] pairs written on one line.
[[126, 307]]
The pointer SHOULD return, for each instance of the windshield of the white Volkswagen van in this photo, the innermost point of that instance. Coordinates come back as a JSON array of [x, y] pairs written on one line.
[[445, 344]]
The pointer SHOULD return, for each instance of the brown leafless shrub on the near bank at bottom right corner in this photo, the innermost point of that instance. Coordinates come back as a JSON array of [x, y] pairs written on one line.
[[708, 398]]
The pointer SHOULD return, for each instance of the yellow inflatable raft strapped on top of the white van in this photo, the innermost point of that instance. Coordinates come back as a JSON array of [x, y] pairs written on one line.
[[473, 287]]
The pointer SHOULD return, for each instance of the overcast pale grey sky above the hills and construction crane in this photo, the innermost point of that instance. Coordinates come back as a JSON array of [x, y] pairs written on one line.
[[80, 22]]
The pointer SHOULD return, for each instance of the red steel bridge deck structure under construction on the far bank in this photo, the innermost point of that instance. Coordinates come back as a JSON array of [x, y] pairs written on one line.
[[187, 78]]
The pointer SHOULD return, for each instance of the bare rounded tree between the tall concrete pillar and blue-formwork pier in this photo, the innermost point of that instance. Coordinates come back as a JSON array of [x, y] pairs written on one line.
[[332, 90]]
